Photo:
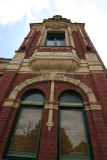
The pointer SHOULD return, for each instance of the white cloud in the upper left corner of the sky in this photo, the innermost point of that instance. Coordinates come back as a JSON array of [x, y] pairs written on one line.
[[12, 10]]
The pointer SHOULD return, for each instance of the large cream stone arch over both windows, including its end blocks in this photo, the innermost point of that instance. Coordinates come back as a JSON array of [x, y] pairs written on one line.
[[92, 102]]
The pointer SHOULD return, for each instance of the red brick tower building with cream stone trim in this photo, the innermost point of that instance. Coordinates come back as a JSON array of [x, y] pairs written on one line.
[[53, 96]]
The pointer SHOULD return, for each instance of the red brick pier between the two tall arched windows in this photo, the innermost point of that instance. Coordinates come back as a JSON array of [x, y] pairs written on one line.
[[48, 143]]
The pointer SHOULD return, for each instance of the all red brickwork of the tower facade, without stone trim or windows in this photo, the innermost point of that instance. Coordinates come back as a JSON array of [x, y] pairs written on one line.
[[97, 120]]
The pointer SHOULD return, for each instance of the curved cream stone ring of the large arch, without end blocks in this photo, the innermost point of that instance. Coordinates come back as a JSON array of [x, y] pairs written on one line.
[[63, 78]]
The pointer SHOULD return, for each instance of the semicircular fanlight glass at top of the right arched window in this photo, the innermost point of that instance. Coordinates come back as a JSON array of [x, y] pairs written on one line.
[[70, 98]]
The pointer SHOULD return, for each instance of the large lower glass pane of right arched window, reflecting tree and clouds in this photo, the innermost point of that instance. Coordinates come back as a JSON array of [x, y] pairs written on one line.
[[73, 141]]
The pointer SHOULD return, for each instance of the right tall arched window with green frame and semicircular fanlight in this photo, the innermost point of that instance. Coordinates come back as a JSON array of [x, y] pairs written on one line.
[[73, 137]]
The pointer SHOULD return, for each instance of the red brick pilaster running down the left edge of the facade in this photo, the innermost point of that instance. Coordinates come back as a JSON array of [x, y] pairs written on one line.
[[5, 84]]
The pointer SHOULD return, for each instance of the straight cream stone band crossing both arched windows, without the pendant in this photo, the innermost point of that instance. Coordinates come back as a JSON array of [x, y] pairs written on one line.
[[52, 104]]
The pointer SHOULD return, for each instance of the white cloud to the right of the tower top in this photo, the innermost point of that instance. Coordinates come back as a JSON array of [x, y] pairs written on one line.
[[94, 15]]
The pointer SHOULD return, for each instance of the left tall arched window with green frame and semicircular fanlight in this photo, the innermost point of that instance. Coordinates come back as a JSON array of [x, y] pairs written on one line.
[[26, 134]]
